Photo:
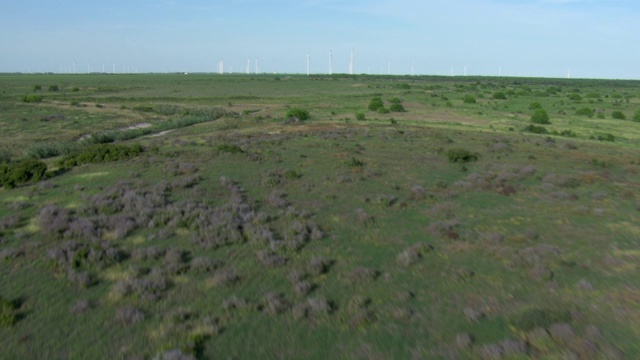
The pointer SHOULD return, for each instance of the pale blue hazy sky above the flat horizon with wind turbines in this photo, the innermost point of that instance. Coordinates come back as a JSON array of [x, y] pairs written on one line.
[[541, 38]]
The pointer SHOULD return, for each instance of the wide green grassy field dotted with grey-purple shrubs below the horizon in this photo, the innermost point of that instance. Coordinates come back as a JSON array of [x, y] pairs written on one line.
[[153, 216]]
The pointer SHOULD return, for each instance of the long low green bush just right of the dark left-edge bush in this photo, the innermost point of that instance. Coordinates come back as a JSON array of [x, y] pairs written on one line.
[[100, 153]]
